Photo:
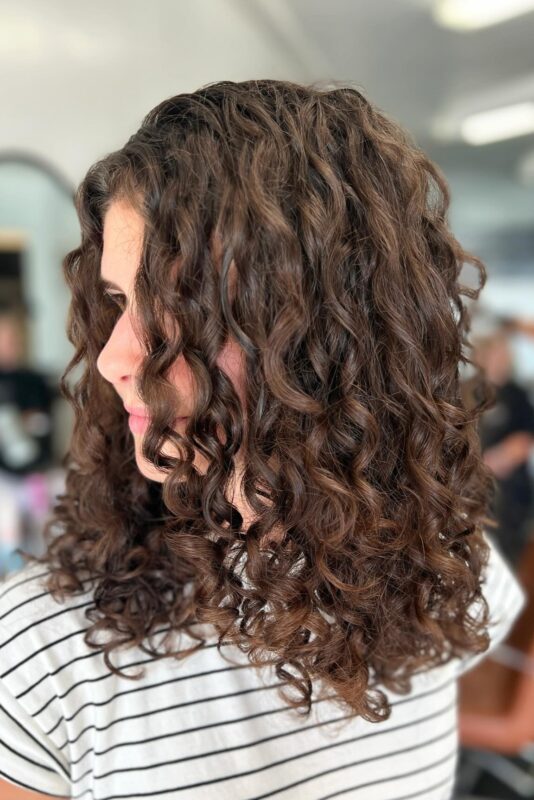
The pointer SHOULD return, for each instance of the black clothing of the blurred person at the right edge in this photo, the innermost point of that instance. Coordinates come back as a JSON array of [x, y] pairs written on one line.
[[512, 413]]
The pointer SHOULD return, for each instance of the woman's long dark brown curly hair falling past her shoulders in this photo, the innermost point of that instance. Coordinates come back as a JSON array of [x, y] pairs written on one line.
[[357, 446]]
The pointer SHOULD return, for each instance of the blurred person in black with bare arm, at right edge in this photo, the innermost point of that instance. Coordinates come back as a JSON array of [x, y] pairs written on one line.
[[507, 436]]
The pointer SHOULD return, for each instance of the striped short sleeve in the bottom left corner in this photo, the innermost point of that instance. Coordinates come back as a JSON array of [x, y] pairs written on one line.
[[27, 757]]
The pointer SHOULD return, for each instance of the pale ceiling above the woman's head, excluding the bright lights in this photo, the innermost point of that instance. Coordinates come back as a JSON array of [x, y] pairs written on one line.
[[78, 76]]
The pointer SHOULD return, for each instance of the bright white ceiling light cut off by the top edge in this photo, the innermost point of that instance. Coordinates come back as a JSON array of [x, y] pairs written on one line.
[[466, 15]]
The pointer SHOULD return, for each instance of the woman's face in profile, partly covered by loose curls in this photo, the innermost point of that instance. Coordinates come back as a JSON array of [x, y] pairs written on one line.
[[120, 358]]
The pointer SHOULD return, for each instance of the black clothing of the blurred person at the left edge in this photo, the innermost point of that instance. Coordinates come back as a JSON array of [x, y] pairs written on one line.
[[27, 390]]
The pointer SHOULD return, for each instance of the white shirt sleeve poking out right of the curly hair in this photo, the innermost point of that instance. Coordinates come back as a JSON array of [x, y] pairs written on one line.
[[506, 599]]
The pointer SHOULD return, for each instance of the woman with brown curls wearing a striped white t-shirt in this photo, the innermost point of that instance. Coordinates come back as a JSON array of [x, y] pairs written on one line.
[[261, 577]]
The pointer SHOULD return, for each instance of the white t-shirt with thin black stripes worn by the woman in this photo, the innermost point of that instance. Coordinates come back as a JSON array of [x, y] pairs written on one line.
[[204, 728]]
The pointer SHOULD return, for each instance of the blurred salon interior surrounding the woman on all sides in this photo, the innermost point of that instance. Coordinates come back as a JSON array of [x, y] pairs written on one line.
[[77, 79]]
